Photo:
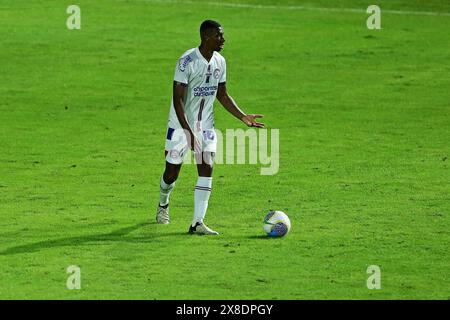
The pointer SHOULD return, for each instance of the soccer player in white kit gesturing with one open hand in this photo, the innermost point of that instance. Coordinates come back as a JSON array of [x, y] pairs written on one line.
[[200, 77]]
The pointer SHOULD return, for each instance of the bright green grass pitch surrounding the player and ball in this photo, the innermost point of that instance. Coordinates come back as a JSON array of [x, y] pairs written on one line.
[[364, 120]]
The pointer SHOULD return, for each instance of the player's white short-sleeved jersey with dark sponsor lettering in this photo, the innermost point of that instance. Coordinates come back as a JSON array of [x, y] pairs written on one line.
[[202, 79]]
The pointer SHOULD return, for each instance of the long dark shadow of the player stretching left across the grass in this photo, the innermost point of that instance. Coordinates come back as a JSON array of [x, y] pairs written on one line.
[[117, 235]]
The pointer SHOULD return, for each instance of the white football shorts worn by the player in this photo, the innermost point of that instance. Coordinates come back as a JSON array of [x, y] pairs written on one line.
[[177, 147]]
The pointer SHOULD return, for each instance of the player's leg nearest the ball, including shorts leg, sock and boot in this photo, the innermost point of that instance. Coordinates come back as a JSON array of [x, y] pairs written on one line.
[[203, 187]]
